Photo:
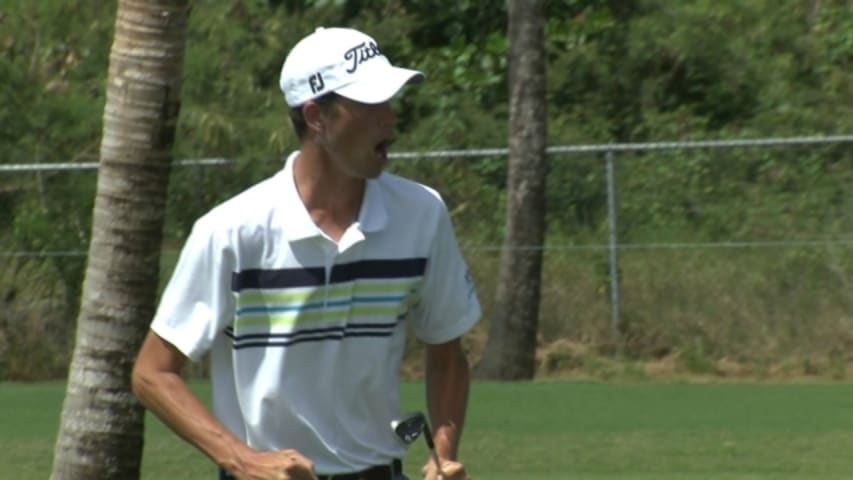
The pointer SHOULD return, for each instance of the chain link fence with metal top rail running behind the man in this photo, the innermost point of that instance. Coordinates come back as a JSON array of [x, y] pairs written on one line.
[[715, 255]]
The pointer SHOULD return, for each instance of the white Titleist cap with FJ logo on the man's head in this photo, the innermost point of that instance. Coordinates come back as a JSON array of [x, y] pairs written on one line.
[[344, 61]]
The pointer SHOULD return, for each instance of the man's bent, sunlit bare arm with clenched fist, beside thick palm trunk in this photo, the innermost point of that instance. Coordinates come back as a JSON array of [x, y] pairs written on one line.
[[158, 385]]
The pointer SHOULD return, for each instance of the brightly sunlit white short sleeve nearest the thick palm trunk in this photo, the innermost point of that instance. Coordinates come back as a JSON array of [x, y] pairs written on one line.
[[197, 303]]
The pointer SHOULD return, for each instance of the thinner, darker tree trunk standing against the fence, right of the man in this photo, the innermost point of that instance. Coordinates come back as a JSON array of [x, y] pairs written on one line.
[[511, 348]]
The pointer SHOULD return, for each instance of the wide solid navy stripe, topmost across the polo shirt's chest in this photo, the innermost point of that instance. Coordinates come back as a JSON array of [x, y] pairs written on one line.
[[316, 276]]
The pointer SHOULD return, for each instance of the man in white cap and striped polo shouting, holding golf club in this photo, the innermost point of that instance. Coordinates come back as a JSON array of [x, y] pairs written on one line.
[[302, 289]]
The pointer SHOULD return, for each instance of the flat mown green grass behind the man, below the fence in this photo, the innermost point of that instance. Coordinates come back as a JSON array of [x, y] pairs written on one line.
[[552, 430]]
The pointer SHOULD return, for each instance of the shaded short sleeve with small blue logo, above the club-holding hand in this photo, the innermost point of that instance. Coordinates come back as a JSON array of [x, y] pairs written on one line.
[[448, 305]]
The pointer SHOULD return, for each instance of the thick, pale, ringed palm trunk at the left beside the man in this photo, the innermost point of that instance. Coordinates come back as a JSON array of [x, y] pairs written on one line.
[[101, 431]]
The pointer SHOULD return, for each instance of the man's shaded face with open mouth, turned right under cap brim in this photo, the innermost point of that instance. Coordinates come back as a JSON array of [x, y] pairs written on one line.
[[357, 135]]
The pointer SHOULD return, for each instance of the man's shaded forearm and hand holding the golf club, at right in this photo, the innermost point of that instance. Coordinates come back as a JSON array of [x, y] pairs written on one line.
[[447, 384]]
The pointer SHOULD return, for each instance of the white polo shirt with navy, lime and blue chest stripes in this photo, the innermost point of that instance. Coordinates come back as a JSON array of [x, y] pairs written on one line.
[[306, 335]]
